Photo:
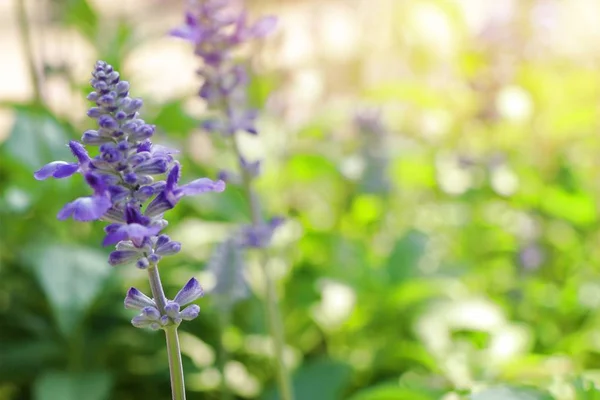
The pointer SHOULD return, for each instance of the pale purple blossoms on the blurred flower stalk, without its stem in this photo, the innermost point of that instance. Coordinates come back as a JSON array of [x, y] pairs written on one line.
[[217, 28]]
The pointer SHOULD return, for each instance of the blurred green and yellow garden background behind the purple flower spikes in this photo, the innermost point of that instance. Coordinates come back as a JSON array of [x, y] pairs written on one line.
[[437, 160]]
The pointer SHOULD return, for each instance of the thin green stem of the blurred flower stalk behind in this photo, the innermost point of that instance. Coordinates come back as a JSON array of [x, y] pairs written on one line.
[[273, 312]]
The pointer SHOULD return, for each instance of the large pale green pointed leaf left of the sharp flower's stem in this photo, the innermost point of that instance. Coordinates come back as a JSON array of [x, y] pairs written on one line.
[[71, 278]]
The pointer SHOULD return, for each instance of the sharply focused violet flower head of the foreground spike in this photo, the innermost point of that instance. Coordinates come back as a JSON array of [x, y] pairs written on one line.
[[125, 177]]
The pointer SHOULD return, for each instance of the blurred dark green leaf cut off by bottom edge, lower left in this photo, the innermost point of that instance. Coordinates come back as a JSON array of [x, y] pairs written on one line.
[[70, 386]]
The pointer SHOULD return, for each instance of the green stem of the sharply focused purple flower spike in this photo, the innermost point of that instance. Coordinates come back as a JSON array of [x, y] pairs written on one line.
[[173, 351]]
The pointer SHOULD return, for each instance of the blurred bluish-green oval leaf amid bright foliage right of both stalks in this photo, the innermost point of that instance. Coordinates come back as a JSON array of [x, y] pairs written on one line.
[[404, 260]]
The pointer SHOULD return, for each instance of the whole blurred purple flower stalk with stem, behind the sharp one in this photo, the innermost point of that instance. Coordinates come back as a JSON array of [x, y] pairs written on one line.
[[216, 29]]
